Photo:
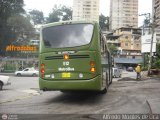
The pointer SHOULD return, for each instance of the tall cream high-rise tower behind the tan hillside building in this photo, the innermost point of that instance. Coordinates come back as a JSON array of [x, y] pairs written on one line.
[[123, 13]]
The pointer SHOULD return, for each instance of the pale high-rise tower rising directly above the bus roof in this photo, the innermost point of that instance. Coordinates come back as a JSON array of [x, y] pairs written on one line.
[[86, 10]]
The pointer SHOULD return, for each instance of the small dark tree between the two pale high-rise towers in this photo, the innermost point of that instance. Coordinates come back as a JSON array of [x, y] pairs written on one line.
[[104, 22]]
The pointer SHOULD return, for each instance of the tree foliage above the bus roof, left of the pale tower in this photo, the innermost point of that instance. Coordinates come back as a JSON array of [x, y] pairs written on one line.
[[60, 13]]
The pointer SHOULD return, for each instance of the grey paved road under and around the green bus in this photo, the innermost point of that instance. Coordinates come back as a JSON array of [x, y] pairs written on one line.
[[123, 97]]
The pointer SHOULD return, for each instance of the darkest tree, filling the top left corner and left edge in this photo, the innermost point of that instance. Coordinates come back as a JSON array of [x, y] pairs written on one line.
[[8, 8]]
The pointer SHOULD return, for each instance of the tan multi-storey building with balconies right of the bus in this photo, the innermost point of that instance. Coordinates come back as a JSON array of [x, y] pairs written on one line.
[[130, 42]]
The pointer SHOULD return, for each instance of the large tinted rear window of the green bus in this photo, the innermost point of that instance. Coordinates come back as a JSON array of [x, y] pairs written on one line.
[[67, 35]]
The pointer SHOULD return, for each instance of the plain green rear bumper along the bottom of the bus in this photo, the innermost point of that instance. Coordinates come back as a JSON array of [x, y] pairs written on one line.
[[91, 84]]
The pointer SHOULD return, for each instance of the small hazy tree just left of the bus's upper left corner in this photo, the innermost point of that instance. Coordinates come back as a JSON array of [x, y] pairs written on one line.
[[37, 16]]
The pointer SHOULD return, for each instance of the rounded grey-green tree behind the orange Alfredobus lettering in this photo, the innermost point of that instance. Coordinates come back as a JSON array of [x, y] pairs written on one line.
[[20, 31]]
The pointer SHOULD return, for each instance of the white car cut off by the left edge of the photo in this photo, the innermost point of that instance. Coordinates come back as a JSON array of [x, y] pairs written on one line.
[[4, 80]]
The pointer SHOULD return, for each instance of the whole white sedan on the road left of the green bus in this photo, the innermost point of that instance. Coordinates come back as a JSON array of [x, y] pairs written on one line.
[[27, 72]]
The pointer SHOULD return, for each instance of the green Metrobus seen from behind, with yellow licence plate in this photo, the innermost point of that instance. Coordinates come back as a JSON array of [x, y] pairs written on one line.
[[74, 56]]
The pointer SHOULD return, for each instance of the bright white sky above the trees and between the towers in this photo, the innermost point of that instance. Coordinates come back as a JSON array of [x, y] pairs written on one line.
[[145, 6]]
